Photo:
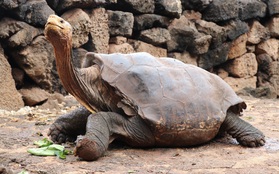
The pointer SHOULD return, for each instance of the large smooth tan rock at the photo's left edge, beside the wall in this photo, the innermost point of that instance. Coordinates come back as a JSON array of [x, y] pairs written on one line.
[[10, 98]]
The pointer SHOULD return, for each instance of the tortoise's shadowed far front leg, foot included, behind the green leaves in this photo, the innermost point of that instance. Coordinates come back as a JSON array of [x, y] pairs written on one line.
[[67, 127]]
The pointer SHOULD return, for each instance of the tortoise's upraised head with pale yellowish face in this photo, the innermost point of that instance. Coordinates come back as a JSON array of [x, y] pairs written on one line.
[[58, 31]]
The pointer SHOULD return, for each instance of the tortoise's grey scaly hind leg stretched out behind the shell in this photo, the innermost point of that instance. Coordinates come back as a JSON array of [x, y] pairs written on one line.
[[245, 133]]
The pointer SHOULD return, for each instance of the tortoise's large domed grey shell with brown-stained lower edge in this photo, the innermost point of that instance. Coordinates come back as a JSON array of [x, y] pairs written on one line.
[[180, 102]]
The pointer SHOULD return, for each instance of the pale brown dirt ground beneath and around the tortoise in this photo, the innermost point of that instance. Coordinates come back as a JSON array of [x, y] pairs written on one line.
[[18, 131]]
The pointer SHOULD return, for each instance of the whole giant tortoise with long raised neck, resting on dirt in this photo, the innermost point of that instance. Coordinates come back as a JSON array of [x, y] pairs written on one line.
[[142, 100]]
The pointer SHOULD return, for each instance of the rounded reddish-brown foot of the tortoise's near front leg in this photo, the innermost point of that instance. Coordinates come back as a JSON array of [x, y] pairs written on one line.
[[87, 149]]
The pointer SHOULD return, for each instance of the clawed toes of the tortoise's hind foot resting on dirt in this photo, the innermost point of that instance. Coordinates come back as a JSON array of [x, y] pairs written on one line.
[[252, 140]]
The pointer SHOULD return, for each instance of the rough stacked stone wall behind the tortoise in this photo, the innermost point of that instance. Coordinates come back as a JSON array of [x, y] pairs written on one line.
[[238, 40]]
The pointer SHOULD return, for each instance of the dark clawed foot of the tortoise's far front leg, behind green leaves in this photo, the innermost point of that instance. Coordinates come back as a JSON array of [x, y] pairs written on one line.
[[58, 133]]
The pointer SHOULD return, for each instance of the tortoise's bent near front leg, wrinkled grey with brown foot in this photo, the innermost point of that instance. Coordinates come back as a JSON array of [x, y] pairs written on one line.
[[104, 127]]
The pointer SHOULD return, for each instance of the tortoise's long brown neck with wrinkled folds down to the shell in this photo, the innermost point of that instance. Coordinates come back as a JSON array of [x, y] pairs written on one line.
[[77, 84]]
